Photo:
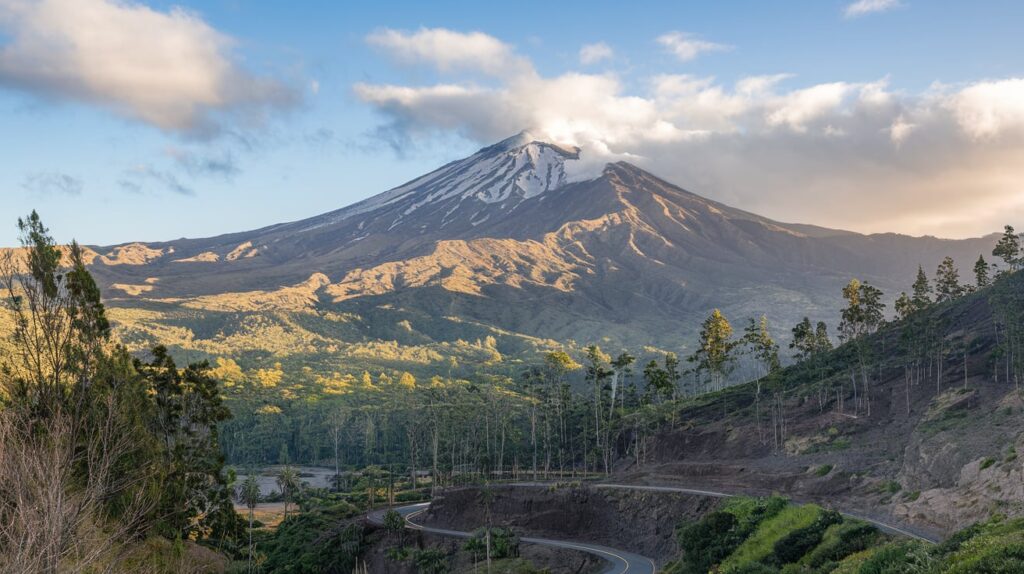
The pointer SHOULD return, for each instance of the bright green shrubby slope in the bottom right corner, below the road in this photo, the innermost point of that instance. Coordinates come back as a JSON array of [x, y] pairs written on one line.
[[770, 537]]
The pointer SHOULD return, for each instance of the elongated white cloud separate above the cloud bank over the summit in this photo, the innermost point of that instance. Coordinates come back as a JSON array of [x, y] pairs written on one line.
[[451, 52]]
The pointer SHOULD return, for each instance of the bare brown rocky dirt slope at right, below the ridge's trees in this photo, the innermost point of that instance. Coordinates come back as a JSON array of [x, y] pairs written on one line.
[[937, 454]]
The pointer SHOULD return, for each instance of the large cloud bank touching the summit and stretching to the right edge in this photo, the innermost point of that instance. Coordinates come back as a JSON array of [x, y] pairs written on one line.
[[947, 162]]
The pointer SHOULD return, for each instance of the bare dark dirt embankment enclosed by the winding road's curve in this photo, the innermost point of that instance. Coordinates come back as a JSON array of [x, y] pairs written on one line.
[[638, 522]]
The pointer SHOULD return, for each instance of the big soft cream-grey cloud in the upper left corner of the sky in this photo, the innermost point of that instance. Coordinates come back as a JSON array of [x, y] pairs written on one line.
[[170, 70]]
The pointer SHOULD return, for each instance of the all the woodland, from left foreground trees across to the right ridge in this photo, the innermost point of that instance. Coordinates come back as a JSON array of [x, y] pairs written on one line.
[[142, 447]]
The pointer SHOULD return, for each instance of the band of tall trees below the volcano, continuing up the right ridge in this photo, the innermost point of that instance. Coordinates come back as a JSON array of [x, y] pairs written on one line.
[[578, 414]]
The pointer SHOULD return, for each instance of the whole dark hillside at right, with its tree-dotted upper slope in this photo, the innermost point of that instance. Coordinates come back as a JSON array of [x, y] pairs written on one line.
[[936, 448]]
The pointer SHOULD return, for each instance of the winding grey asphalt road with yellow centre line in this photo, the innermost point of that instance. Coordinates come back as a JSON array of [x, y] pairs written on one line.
[[620, 562]]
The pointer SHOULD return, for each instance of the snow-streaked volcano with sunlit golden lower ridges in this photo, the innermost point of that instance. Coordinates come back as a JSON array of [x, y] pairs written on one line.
[[513, 243]]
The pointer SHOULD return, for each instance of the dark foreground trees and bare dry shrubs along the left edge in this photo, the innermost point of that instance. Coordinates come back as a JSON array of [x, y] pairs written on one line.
[[102, 455]]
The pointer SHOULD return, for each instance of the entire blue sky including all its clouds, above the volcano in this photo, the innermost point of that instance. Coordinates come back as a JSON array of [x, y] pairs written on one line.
[[903, 118]]
